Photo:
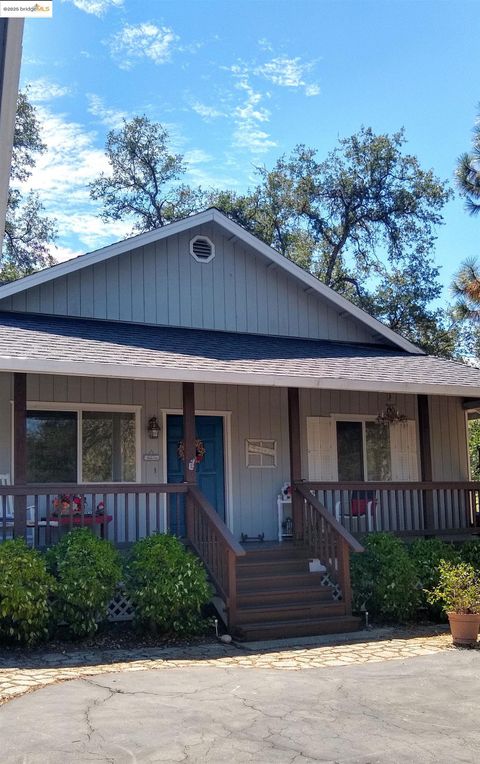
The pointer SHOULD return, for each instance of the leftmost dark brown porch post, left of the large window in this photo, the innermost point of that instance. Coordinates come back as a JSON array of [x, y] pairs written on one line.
[[20, 451]]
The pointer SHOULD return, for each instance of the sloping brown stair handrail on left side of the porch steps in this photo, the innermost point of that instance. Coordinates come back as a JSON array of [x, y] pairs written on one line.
[[216, 546]]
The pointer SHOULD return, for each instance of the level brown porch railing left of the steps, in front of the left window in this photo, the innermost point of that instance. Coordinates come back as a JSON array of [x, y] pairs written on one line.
[[122, 512]]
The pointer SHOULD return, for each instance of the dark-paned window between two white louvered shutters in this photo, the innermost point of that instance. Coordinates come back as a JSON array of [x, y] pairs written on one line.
[[363, 451]]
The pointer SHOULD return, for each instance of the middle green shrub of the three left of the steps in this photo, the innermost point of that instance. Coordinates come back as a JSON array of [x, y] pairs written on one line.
[[87, 570]]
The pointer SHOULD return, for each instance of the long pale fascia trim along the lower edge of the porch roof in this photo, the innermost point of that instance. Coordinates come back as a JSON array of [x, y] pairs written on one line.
[[164, 374]]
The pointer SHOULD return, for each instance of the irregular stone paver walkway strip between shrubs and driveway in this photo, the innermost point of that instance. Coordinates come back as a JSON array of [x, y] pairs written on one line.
[[19, 676]]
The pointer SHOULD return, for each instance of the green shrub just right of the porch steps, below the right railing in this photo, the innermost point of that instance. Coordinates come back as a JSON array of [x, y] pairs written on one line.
[[384, 579]]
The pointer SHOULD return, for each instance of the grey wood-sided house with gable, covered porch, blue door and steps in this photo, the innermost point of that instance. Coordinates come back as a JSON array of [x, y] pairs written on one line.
[[179, 379]]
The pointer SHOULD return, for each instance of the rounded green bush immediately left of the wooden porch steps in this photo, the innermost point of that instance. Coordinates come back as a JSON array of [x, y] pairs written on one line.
[[168, 585]]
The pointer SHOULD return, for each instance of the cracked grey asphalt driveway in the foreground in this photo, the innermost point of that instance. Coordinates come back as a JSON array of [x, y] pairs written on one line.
[[423, 709]]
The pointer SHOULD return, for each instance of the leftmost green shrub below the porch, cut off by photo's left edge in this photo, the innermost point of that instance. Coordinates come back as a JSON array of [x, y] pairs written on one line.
[[24, 591]]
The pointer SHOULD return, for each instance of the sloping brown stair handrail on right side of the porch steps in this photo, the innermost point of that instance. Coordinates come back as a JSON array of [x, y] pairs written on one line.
[[327, 540]]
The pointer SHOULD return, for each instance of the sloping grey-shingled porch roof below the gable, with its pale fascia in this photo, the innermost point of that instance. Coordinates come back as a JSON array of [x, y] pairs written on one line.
[[73, 346]]
